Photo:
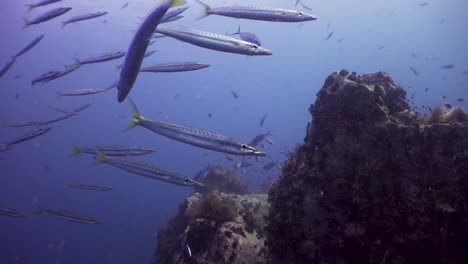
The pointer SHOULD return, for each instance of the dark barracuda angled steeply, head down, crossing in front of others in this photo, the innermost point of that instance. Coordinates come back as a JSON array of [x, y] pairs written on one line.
[[136, 50]]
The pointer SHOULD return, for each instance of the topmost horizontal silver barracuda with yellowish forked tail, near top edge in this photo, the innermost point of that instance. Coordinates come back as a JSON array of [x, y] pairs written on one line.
[[258, 13]]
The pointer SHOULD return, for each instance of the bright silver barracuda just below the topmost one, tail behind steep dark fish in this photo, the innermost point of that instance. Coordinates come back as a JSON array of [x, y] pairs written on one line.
[[213, 41]]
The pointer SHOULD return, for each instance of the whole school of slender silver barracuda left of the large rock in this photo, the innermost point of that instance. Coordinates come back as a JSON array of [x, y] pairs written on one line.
[[150, 28]]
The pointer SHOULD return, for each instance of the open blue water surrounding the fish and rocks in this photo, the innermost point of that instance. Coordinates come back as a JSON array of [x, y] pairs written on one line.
[[33, 174]]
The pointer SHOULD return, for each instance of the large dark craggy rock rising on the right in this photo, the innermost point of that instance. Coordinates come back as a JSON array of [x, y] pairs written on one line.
[[372, 183]]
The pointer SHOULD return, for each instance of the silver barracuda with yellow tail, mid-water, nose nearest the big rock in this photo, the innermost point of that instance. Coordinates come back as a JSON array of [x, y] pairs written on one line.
[[194, 136]]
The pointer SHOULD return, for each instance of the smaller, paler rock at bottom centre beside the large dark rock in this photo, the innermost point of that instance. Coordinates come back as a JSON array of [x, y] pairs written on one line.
[[218, 228]]
